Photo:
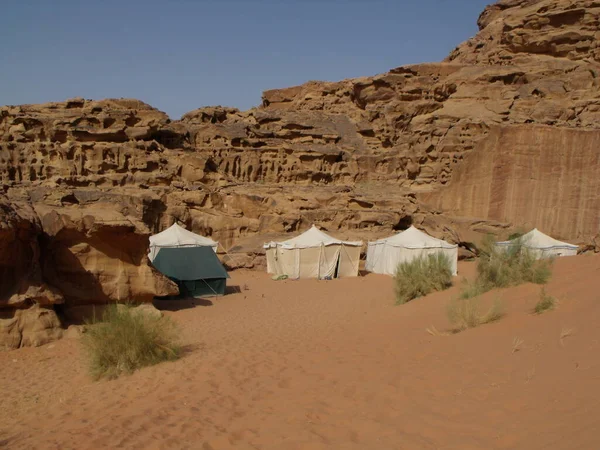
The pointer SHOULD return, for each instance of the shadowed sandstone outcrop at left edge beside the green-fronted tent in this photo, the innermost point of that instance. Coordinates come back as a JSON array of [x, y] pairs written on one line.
[[53, 254]]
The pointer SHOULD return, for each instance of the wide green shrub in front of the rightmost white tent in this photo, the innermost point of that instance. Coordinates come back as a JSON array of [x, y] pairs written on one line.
[[504, 267]]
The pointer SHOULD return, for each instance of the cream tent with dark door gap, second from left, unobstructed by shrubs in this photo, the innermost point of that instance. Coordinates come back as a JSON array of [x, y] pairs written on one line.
[[313, 254]]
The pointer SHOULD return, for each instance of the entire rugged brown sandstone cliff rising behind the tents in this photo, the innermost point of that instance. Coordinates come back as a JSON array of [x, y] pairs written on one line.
[[503, 134]]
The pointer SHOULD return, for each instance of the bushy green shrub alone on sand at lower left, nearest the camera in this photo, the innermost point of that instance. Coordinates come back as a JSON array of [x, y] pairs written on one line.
[[124, 340]]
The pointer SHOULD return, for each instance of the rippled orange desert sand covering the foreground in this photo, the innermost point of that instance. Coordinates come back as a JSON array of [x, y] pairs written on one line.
[[331, 364]]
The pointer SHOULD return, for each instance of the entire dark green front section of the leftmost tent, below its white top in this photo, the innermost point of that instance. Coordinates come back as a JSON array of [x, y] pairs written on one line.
[[196, 270]]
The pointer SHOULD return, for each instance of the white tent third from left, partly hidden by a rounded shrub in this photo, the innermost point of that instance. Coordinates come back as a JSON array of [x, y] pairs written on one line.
[[384, 255]]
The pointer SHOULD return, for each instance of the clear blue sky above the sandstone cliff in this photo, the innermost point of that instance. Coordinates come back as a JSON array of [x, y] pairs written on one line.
[[178, 55]]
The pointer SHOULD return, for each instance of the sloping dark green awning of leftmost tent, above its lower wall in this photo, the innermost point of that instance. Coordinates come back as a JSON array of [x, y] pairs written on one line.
[[189, 263]]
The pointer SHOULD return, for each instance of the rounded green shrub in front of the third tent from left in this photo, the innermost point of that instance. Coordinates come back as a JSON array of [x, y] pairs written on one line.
[[422, 276]]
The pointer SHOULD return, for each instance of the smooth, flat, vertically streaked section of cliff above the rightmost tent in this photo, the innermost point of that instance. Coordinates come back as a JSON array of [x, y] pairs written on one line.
[[536, 175]]
